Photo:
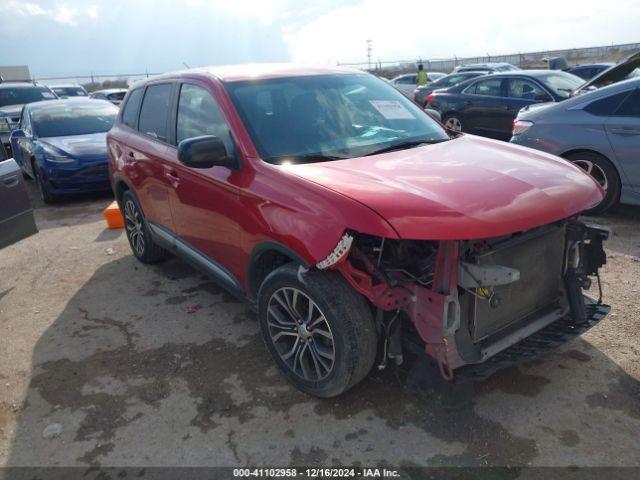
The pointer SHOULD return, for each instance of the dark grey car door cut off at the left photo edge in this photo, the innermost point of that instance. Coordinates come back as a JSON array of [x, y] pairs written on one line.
[[16, 214]]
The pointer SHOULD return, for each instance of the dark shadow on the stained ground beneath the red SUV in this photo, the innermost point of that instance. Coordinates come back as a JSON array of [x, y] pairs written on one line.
[[130, 377]]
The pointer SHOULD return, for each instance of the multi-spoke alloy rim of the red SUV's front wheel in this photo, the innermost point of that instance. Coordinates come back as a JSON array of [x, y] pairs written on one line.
[[301, 334]]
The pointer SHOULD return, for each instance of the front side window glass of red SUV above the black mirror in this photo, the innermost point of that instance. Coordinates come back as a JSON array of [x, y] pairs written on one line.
[[199, 114]]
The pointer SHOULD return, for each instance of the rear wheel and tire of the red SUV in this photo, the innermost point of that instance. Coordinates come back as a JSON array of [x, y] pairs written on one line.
[[138, 233]]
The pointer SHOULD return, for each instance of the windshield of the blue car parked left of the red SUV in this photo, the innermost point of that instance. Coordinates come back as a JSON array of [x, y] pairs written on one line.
[[80, 119]]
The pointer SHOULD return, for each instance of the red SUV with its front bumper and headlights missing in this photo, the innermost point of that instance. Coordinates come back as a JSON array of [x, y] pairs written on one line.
[[355, 223]]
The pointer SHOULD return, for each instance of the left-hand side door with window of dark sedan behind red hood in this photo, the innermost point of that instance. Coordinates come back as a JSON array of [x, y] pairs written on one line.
[[485, 108]]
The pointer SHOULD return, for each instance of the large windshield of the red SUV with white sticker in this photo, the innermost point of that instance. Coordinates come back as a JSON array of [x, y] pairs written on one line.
[[325, 117]]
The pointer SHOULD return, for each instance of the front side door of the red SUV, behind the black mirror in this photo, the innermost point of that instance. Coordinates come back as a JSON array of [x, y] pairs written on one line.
[[207, 199]]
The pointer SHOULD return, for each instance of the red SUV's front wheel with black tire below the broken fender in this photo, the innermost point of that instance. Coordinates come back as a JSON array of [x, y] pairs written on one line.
[[320, 331]]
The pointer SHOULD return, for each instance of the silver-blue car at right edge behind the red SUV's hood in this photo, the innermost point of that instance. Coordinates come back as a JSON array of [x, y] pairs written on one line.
[[598, 131]]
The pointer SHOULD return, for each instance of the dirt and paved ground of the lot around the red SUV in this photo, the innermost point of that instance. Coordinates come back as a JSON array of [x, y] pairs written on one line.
[[103, 365]]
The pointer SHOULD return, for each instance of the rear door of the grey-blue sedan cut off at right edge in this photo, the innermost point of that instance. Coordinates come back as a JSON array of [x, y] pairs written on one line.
[[623, 131]]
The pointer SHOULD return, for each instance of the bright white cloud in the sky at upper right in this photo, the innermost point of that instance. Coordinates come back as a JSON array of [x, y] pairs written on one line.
[[407, 29]]
